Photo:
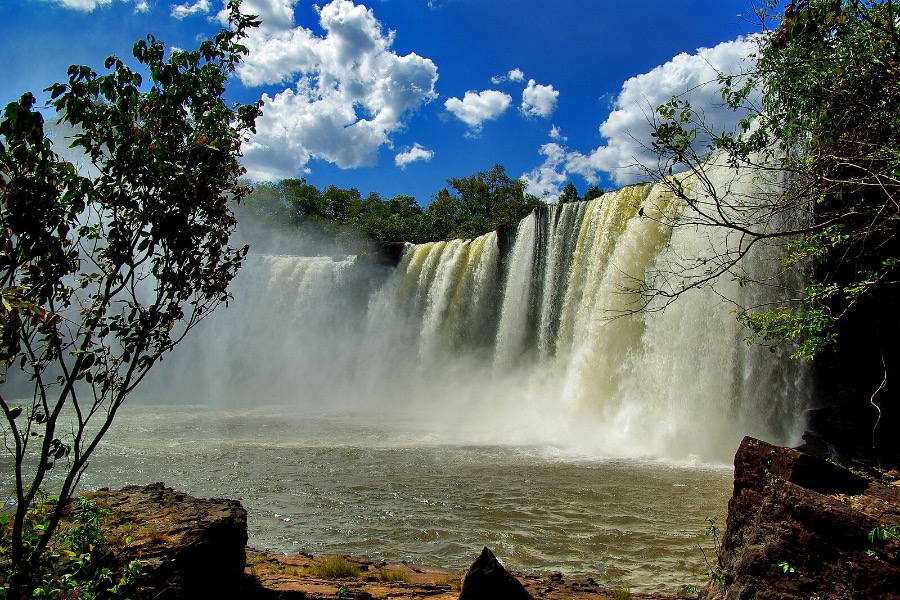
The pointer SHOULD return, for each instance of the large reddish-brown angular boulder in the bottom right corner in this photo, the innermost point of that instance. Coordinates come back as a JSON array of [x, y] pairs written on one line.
[[798, 528]]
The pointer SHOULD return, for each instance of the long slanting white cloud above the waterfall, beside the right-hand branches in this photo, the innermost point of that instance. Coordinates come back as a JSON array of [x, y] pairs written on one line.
[[627, 129]]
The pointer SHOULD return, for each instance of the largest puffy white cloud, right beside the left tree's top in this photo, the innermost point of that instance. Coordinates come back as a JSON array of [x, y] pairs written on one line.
[[349, 90]]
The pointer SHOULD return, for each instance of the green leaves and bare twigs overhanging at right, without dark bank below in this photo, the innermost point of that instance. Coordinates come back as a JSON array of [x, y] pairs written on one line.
[[820, 120]]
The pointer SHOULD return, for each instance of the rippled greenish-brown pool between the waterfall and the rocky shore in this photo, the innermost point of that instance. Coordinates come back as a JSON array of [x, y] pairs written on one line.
[[335, 484]]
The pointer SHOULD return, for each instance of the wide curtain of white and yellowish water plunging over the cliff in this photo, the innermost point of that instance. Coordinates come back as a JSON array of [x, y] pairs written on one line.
[[541, 345]]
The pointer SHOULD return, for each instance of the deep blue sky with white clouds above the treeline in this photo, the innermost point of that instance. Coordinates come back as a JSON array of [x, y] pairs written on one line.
[[397, 96]]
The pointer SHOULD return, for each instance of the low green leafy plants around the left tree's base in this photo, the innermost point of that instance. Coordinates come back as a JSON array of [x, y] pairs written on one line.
[[75, 564]]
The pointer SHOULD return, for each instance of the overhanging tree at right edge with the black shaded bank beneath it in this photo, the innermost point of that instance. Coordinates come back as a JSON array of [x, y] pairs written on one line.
[[821, 133]]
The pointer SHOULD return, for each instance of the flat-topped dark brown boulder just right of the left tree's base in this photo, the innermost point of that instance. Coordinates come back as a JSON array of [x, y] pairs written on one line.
[[189, 547]]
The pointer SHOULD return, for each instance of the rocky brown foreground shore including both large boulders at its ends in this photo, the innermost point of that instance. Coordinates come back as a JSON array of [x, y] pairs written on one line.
[[798, 527]]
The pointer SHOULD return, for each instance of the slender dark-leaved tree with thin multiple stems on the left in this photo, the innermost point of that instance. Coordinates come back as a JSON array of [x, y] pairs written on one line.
[[102, 276]]
